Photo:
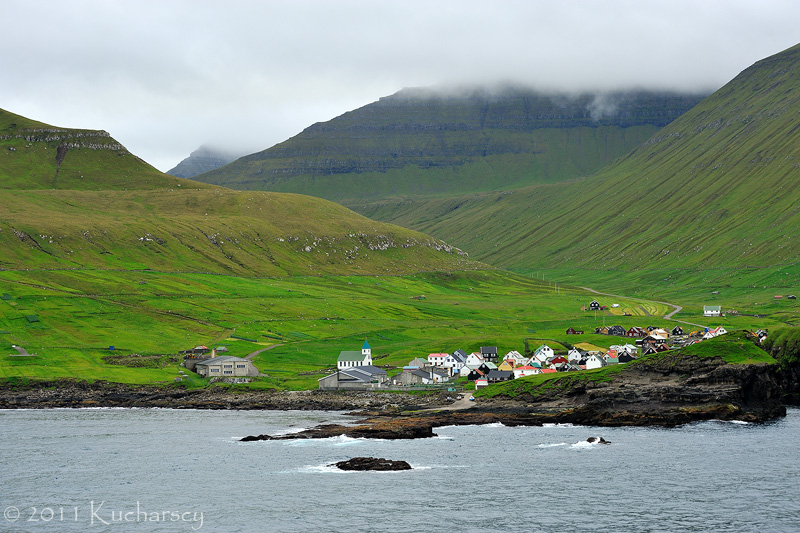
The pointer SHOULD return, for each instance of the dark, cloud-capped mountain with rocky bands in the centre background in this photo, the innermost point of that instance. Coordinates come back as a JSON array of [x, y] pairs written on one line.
[[423, 142]]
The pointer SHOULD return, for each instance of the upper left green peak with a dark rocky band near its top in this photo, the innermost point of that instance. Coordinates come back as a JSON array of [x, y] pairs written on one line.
[[34, 155]]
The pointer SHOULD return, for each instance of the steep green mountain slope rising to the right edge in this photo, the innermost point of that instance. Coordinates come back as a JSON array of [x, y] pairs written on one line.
[[717, 187]]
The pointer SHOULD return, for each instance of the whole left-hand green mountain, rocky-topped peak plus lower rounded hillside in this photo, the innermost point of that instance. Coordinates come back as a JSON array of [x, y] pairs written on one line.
[[78, 199]]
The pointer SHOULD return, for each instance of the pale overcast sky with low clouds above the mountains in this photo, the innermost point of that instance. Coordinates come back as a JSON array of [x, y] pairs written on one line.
[[166, 76]]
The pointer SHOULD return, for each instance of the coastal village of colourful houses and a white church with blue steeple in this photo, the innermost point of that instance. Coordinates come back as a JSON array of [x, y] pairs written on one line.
[[355, 369]]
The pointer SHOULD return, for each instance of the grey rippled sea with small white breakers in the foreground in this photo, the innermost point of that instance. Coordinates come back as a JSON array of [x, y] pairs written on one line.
[[152, 470]]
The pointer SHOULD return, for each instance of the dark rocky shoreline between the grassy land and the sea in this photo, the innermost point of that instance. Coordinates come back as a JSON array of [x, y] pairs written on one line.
[[661, 392]]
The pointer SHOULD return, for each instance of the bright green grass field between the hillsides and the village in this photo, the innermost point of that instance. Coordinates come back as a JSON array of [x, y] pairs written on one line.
[[81, 313]]
